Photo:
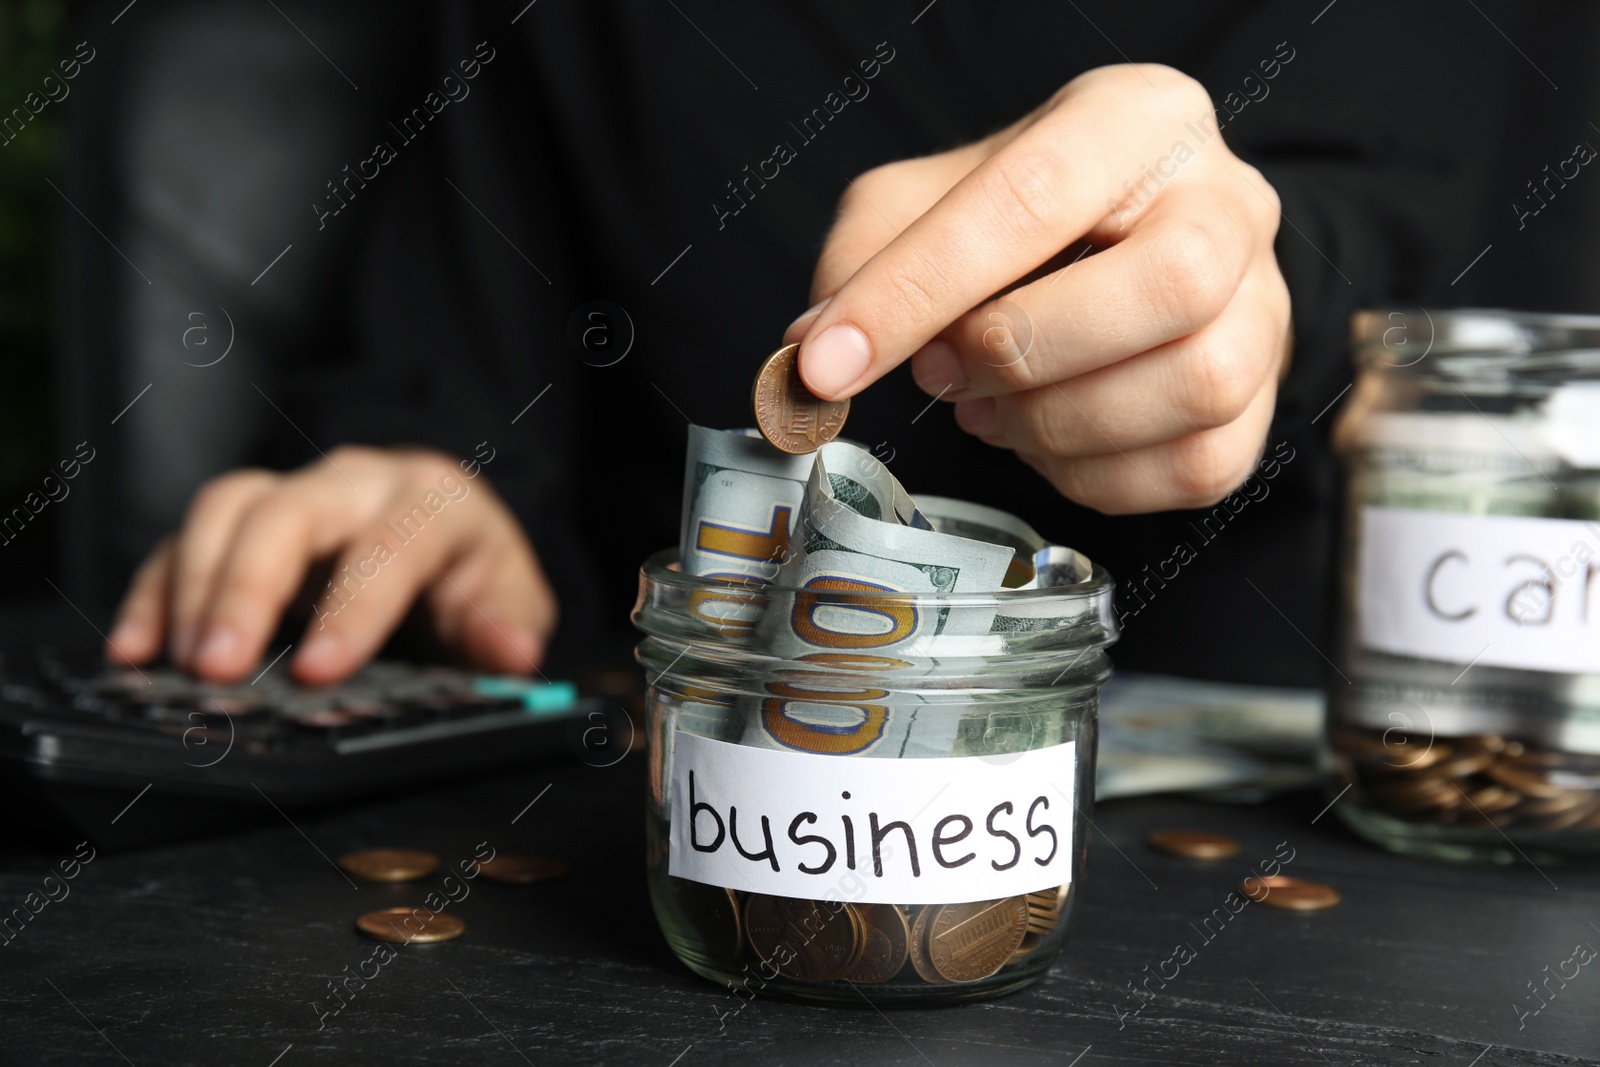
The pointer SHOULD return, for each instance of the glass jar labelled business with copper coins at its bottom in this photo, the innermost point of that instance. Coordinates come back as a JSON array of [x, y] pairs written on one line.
[[906, 828]]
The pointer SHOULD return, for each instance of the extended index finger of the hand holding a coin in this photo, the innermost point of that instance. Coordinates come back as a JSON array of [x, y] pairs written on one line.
[[1009, 217]]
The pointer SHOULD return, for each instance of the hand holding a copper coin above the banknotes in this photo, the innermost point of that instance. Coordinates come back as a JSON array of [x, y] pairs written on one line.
[[1135, 380]]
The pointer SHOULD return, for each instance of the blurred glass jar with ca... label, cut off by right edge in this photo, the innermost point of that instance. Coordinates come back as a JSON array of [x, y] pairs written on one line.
[[1466, 721]]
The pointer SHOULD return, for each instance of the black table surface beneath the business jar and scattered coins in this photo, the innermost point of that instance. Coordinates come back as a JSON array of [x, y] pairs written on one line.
[[222, 951]]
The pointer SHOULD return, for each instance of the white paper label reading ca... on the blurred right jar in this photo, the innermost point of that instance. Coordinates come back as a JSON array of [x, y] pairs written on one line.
[[1481, 589]]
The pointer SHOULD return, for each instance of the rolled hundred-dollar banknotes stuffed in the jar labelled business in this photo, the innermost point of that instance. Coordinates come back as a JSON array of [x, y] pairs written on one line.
[[801, 533]]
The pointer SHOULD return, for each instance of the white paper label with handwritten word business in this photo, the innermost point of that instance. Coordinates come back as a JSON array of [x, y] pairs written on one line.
[[937, 831]]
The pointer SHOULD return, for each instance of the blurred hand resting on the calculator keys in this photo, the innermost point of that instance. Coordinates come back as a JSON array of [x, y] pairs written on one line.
[[399, 526]]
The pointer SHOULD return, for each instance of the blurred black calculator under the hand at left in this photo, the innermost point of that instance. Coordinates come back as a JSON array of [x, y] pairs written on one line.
[[135, 756]]
